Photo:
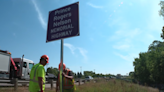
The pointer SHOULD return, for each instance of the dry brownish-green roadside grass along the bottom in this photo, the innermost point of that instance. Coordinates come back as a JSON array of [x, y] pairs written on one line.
[[99, 86]]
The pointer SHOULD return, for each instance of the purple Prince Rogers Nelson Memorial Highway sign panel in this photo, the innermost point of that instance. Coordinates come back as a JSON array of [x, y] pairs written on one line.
[[63, 22]]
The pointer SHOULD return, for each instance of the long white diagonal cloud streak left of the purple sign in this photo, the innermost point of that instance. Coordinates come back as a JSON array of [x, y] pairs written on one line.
[[43, 23]]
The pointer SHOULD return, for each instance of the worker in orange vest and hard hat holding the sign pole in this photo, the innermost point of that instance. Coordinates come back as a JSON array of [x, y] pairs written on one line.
[[68, 81]]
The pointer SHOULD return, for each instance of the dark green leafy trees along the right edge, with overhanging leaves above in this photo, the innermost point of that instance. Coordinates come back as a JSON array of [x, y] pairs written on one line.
[[149, 66]]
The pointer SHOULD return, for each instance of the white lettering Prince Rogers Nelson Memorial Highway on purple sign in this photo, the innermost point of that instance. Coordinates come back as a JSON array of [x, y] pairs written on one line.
[[63, 26]]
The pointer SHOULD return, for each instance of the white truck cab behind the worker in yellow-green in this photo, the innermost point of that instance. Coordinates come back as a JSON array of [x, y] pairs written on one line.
[[24, 67]]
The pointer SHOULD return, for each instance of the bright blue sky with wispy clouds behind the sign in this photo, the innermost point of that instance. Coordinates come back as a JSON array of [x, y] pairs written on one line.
[[112, 33]]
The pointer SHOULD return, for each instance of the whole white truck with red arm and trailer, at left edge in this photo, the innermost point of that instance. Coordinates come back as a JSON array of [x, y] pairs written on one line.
[[14, 67]]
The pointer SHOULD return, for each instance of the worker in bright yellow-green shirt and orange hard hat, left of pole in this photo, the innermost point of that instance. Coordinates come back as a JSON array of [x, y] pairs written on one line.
[[37, 75]]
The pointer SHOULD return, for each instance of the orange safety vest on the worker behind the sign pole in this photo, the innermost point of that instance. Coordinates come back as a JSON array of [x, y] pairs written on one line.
[[68, 84]]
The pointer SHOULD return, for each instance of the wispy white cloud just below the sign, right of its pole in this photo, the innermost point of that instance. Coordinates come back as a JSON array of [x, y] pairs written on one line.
[[82, 51]]
